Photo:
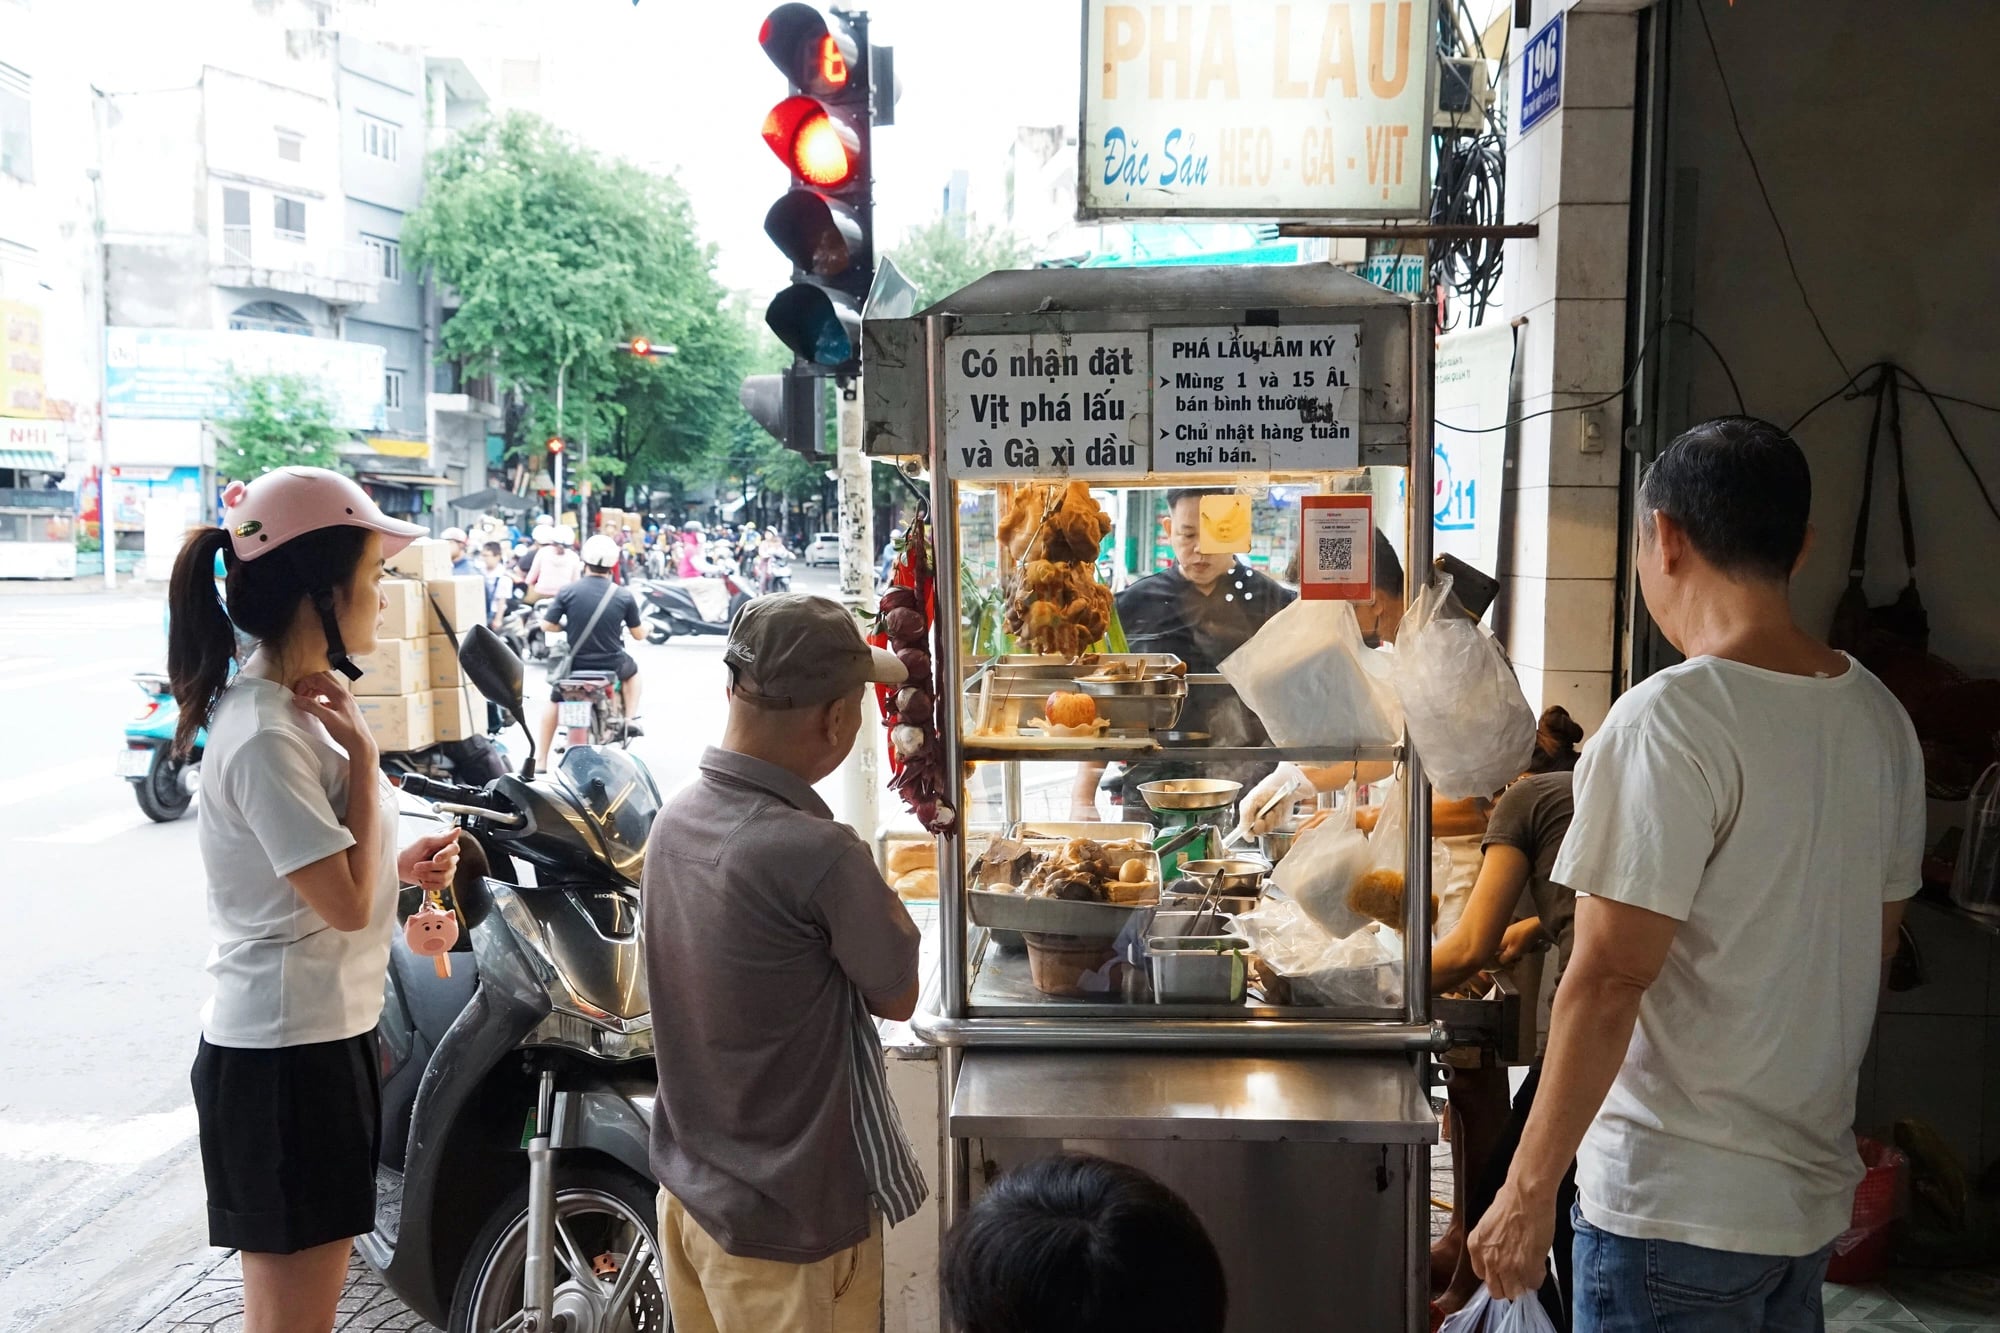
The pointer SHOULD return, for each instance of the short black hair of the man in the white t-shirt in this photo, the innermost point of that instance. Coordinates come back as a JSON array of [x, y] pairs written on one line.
[[1743, 493]]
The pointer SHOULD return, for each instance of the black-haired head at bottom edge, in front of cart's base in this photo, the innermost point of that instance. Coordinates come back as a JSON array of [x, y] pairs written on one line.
[[1083, 1246]]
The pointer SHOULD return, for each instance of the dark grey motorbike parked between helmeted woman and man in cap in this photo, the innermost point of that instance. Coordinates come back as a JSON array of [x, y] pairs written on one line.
[[519, 1082]]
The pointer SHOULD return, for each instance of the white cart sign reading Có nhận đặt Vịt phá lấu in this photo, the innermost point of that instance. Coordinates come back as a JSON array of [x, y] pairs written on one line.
[[1045, 405]]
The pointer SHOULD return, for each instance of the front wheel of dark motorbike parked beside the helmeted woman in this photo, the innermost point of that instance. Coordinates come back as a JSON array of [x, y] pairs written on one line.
[[601, 1216]]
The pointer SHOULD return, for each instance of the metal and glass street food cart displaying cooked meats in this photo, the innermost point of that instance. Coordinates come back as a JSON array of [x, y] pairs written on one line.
[[1299, 1132]]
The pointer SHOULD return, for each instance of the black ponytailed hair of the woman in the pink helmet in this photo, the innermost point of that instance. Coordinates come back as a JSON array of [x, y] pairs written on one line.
[[263, 599]]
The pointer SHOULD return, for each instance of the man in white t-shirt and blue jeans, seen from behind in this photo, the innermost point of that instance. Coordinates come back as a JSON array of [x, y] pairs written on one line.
[[1747, 832]]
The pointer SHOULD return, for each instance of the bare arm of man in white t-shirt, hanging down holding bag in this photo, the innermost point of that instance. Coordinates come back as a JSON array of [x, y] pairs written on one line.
[[1617, 958]]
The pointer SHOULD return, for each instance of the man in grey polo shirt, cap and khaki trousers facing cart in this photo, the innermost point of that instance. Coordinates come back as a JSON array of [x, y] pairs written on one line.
[[771, 940]]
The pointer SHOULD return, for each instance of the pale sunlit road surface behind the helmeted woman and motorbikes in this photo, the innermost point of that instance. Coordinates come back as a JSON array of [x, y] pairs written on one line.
[[101, 966]]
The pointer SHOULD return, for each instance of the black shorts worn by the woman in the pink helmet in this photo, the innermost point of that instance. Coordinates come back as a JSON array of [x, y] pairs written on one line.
[[291, 1142]]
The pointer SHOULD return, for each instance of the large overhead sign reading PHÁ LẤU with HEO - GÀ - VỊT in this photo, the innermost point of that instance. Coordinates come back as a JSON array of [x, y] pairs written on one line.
[[1257, 109]]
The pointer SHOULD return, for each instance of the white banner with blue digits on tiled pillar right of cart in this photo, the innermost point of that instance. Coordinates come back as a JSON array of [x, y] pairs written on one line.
[[1473, 373]]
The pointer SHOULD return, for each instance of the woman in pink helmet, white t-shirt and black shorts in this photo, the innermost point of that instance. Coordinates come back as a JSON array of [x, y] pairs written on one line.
[[297, 832]]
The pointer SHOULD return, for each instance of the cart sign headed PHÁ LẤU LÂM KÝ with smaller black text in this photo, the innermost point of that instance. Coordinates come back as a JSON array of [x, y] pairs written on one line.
[[1253, 399]]
